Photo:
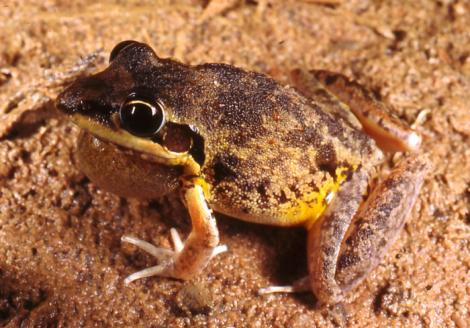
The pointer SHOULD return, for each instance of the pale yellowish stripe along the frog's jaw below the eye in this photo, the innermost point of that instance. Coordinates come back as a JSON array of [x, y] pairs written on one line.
[[153, 150]]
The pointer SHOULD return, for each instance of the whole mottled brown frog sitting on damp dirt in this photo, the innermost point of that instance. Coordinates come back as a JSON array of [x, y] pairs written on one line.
[[237, 142]]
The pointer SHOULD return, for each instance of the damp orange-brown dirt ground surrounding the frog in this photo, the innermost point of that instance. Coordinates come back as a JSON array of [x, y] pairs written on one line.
[[61, 260]]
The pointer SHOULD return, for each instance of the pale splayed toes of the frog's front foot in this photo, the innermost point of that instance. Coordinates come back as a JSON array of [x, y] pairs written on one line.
[[164, 255]]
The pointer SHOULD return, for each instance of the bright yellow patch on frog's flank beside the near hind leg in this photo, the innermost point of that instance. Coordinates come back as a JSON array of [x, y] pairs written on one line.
[[311, 206]]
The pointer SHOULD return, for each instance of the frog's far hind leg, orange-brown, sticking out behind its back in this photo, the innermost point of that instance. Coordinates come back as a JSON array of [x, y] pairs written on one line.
[[390, 133]]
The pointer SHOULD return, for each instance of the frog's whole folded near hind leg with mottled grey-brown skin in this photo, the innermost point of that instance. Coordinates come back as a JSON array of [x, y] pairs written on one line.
[[350, 240]]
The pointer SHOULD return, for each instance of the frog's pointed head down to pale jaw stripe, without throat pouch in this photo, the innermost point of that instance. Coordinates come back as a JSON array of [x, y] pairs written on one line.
[[123, 105]]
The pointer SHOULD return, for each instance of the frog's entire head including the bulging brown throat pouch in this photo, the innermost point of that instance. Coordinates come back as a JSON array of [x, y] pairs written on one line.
[[131, 139]]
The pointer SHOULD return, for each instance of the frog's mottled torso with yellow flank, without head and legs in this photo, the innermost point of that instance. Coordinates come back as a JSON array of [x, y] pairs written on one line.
[[271, 156]]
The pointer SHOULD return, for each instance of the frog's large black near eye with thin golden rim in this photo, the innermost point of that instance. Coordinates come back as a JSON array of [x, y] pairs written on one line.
[[142, 118]]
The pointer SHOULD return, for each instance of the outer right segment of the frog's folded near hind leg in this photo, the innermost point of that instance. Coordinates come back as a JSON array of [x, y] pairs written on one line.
[[379, 221]]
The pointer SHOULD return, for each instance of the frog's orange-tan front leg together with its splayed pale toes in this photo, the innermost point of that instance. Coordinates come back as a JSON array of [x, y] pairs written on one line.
[[188, 258]]
